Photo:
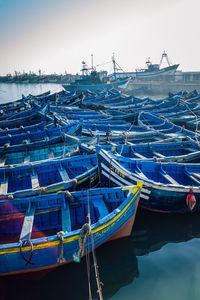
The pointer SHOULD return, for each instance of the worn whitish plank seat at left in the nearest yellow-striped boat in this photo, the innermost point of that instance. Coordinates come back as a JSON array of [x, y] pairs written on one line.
[[28, 224]]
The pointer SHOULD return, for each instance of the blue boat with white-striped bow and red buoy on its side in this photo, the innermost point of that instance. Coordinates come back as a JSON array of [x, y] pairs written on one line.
[[167, 188]]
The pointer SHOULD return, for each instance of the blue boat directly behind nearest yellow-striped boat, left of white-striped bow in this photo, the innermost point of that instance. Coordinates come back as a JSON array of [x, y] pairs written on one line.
[[49, 176]]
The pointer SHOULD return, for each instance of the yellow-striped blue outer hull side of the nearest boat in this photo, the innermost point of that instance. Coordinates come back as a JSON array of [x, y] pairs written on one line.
[[45, 252]]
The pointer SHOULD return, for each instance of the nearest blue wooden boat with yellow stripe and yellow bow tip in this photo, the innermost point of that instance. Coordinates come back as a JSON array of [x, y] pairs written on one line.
[[56, 229]]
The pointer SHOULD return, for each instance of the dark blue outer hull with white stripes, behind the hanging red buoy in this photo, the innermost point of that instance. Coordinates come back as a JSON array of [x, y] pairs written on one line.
[[154, 196]]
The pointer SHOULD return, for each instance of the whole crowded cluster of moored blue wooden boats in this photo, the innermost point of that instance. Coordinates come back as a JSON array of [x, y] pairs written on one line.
[[74, 165]]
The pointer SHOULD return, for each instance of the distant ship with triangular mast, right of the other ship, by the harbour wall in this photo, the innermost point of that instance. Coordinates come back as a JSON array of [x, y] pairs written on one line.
[[152, 70]]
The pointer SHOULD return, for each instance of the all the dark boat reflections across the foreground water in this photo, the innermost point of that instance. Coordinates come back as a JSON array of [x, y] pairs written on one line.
[[117, 261]]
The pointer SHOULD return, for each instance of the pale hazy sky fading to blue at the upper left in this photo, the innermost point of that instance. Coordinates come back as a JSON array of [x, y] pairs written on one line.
[[56, 35]]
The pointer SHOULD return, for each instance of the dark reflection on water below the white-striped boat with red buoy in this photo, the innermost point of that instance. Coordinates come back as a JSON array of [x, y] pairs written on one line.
[[152, 230]]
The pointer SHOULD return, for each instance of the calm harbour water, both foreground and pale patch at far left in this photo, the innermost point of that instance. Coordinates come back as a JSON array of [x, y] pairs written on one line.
[[160, 261]]
